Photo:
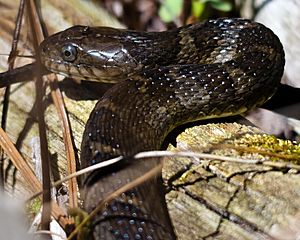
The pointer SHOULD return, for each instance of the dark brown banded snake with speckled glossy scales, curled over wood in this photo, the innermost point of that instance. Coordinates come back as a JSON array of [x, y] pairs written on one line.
[[164, 79]]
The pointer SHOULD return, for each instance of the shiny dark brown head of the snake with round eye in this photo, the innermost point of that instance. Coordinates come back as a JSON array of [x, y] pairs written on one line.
[[82, 52]]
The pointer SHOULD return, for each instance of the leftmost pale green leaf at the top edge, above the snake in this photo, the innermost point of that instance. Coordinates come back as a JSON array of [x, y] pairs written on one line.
[[170, 9]]
